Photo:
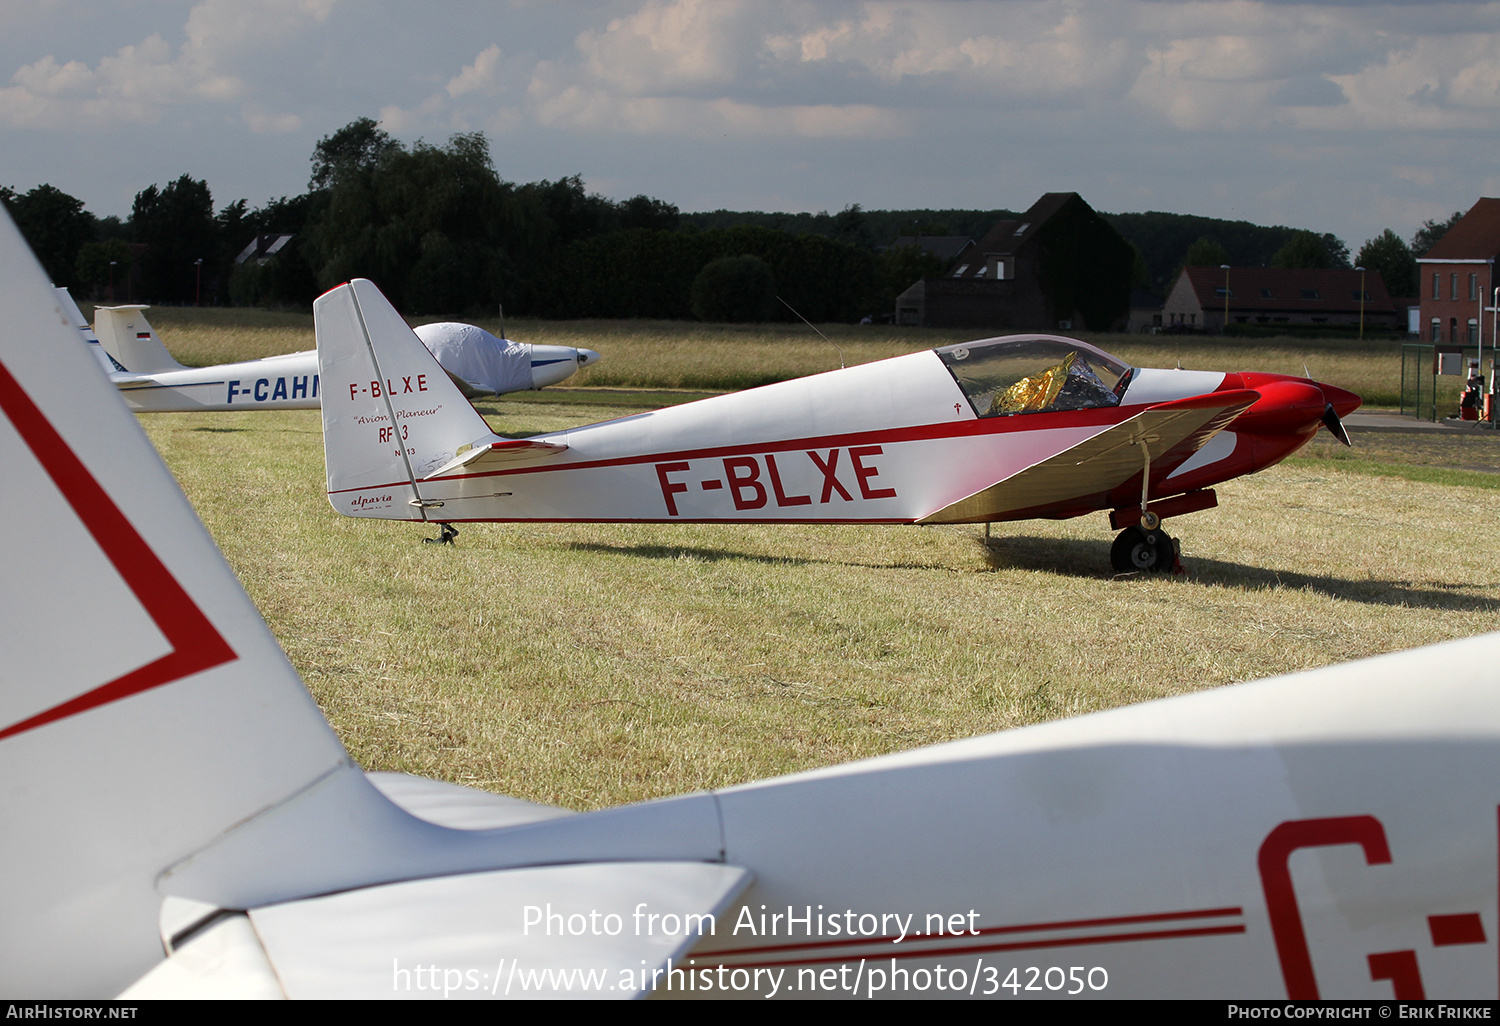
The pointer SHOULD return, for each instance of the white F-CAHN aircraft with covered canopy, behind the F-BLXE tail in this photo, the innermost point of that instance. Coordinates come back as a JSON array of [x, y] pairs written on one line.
[[152, 382]]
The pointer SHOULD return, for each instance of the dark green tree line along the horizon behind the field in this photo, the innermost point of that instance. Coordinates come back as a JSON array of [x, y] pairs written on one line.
[[442, 233]]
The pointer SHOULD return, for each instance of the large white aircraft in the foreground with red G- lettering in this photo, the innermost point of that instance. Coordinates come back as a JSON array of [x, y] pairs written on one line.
[[181, 820]]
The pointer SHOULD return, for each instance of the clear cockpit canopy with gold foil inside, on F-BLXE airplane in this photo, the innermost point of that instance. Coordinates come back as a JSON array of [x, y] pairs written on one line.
[[1022, 374]]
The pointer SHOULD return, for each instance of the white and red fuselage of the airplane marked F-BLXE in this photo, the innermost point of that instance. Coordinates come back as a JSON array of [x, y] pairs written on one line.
[[890, 442]]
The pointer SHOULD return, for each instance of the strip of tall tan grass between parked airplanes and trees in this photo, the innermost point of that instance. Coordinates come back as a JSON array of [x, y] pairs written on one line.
[[716, 358]]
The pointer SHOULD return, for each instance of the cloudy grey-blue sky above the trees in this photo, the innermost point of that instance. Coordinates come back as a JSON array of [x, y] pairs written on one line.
[[1340, 118]]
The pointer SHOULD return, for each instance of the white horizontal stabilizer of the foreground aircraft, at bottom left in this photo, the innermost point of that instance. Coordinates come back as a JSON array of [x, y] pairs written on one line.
[[512, 934]]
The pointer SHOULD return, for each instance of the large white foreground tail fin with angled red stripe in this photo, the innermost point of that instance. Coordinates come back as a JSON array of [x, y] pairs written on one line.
[[175, 721]]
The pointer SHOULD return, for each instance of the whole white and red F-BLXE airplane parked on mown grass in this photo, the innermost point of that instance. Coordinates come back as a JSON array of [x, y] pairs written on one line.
[[1001, 430]]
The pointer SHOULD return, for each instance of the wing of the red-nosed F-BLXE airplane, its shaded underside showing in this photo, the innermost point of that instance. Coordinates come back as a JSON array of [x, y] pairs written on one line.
[[1171, 431]]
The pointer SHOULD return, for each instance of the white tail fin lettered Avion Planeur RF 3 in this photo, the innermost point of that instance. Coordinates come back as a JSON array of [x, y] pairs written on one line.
[[391, 413]]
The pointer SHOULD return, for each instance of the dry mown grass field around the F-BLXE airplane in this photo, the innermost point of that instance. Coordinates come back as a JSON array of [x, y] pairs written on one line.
[[589, 665]]
